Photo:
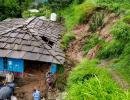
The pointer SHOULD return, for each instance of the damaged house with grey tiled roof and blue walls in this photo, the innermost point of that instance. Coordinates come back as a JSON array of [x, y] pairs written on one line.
[[30, 41]]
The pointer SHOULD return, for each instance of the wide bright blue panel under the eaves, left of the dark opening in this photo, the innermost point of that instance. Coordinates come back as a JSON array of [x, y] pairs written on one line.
[[15, 65]]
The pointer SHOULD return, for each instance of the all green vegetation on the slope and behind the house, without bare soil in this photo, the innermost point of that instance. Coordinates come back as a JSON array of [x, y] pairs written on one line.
[[87, 81]]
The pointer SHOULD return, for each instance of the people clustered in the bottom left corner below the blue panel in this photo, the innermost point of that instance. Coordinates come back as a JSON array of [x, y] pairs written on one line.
[[7, 87]]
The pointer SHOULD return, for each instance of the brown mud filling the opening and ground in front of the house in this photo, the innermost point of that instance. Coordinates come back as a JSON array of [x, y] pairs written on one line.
[[33, 78]]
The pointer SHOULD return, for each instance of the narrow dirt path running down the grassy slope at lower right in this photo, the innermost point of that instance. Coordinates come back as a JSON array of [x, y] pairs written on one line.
[[122, 83]]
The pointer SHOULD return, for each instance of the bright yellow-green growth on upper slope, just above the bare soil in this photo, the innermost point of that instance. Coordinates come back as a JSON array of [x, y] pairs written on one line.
[[77, 14]]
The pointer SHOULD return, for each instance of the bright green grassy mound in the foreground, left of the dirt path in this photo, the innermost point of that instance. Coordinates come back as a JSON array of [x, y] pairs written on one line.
[[89, 82]]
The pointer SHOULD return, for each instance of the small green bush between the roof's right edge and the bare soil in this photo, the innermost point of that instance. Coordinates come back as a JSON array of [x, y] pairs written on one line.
[[66, 39]]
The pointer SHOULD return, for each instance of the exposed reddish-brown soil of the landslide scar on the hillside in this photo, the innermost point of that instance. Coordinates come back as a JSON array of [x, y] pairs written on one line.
[[82, 32]]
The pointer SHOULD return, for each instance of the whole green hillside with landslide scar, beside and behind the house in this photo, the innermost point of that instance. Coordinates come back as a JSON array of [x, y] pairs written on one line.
[[96, 41]]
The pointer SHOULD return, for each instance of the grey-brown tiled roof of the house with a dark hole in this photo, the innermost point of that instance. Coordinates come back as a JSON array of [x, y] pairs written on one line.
[[21, 38]]
